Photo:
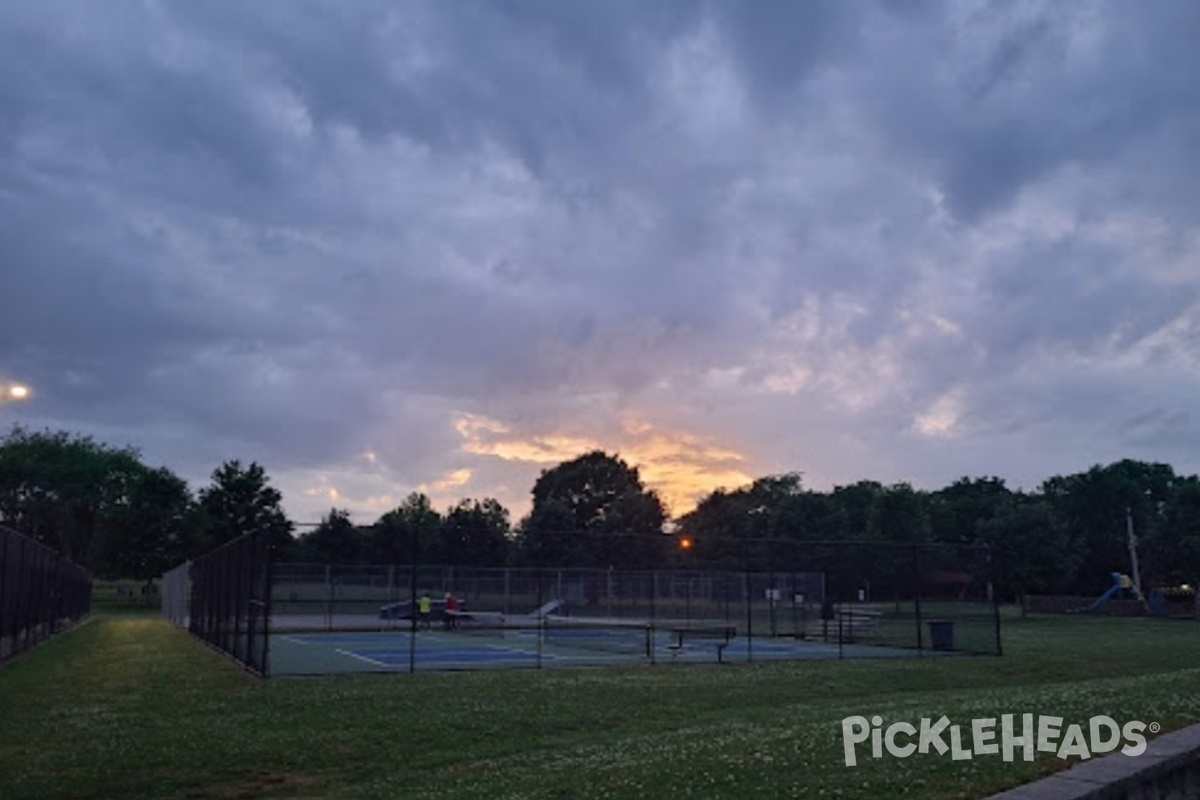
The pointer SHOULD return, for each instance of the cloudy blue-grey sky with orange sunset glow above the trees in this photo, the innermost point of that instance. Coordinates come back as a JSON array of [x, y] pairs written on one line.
[[393, 248]]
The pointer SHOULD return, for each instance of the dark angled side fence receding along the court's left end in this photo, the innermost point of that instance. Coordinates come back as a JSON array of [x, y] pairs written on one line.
[[230, 605]]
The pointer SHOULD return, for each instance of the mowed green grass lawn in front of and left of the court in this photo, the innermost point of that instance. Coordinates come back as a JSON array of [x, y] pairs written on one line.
[[127, 706]]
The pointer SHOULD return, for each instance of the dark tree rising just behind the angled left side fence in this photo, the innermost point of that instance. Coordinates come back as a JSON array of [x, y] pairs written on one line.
[[239, 502]]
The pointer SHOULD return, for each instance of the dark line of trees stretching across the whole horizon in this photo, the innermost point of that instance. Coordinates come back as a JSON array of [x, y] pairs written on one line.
[[107, 510]]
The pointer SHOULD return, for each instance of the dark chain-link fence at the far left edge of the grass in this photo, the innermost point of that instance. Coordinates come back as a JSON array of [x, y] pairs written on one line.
[[41, 592]]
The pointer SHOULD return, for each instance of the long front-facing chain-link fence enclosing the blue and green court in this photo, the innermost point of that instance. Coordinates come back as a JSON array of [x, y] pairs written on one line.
[[811, 601]]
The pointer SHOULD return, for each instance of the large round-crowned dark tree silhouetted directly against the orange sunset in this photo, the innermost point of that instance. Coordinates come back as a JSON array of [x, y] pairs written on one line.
[[595, 512]]
